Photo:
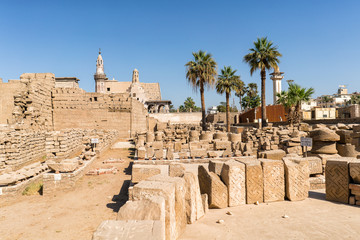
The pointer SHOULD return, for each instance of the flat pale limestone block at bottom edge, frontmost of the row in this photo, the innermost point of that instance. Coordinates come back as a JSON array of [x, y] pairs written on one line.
[[124, 230]]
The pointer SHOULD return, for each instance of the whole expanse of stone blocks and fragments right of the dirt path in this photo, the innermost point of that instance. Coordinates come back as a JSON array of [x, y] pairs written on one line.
[[180, 172]]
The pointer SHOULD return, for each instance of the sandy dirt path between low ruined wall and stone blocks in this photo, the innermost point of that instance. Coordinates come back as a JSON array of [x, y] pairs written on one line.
[[69, 215]]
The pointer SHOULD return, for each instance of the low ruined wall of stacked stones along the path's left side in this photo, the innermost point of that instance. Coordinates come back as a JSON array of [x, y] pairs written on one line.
[[19, 148]]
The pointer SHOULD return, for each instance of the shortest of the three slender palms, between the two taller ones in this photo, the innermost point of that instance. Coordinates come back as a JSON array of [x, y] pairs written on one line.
[[226, 83]]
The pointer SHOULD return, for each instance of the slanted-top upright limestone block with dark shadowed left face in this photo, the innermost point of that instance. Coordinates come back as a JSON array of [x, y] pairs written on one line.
[[216, 190]]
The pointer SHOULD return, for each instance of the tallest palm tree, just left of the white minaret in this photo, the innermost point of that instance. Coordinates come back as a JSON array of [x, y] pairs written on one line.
[[263, 56]]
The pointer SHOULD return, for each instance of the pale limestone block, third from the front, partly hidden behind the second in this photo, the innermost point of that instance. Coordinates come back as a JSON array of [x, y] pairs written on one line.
[[147, 189]]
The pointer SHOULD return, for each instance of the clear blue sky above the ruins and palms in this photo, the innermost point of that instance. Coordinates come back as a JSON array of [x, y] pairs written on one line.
[[318, 39]]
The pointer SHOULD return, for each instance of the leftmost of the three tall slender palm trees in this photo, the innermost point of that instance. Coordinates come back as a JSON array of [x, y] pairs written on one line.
[[201, 73]]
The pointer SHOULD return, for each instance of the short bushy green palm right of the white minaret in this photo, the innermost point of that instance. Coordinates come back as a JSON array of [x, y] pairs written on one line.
[[292, 100]]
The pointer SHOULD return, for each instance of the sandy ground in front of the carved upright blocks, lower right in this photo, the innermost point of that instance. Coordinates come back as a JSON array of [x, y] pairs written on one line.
[[313, 218]]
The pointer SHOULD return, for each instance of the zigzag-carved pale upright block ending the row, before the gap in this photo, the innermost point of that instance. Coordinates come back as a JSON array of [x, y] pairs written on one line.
[[297, 179]]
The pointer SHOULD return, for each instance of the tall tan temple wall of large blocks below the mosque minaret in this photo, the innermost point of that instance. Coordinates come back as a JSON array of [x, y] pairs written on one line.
[[75, 108]]
